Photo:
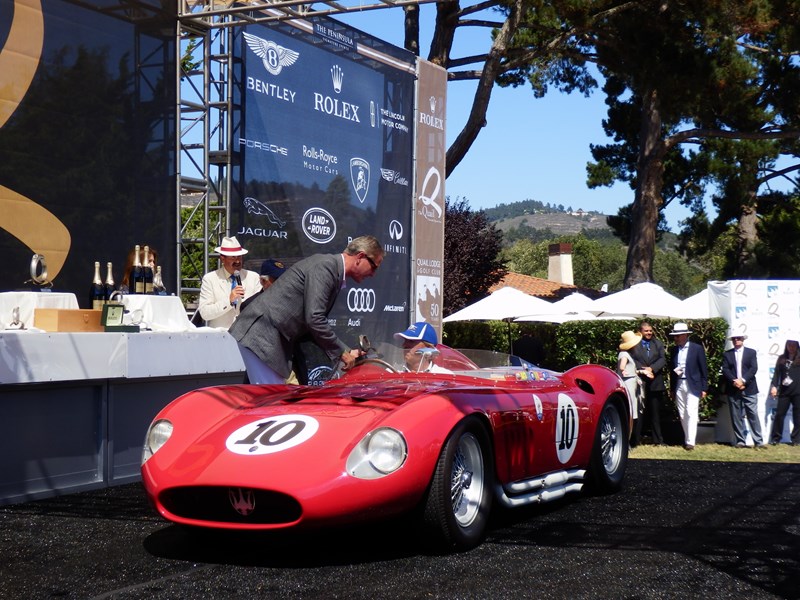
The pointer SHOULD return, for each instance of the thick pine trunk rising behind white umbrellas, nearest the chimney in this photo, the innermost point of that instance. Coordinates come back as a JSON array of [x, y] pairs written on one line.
[[647, 200]]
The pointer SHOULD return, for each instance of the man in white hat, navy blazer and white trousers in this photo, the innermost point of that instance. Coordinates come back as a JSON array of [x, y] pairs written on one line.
[[689, 380]]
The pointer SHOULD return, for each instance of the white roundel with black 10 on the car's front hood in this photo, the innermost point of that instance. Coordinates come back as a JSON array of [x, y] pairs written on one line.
[[272, 434]]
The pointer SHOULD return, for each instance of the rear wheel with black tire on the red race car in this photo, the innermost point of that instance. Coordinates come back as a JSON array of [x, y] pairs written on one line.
[[610, 451]]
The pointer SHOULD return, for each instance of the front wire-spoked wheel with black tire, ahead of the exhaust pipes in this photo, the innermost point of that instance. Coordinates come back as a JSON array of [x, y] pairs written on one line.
[[459, 498]]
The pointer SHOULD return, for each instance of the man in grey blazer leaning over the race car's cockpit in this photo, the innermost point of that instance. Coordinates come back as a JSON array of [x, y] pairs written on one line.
[[297, 305]]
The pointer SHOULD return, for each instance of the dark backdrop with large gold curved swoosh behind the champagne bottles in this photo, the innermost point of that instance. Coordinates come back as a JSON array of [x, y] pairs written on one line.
[[87, 139]]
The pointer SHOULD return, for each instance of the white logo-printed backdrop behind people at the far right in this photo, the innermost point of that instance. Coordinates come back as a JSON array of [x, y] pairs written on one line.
[[768, 313]]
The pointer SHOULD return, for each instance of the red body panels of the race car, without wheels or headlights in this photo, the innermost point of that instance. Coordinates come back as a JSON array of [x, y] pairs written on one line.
[[197, 479]]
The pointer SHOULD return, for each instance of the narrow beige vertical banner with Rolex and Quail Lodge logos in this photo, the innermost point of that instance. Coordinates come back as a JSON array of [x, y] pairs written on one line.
[[429, 205]]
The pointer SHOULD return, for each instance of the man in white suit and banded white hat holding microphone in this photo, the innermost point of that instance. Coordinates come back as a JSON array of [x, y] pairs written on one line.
[[221, 294]]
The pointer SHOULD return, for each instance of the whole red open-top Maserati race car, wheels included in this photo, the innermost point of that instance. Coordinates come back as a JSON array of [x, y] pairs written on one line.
[[379, 441]]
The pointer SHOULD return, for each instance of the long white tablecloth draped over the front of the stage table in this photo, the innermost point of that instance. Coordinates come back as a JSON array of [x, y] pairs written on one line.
[[35, 356]]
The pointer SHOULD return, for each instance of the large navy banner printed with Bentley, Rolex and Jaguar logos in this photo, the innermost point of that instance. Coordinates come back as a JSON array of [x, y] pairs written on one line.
[[323, 148]]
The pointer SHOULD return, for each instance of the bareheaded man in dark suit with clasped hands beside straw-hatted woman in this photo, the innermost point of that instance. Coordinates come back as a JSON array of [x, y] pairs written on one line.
[[650, 360]]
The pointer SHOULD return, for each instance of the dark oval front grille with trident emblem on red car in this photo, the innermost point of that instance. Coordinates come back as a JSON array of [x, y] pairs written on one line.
[[231, 505]]
